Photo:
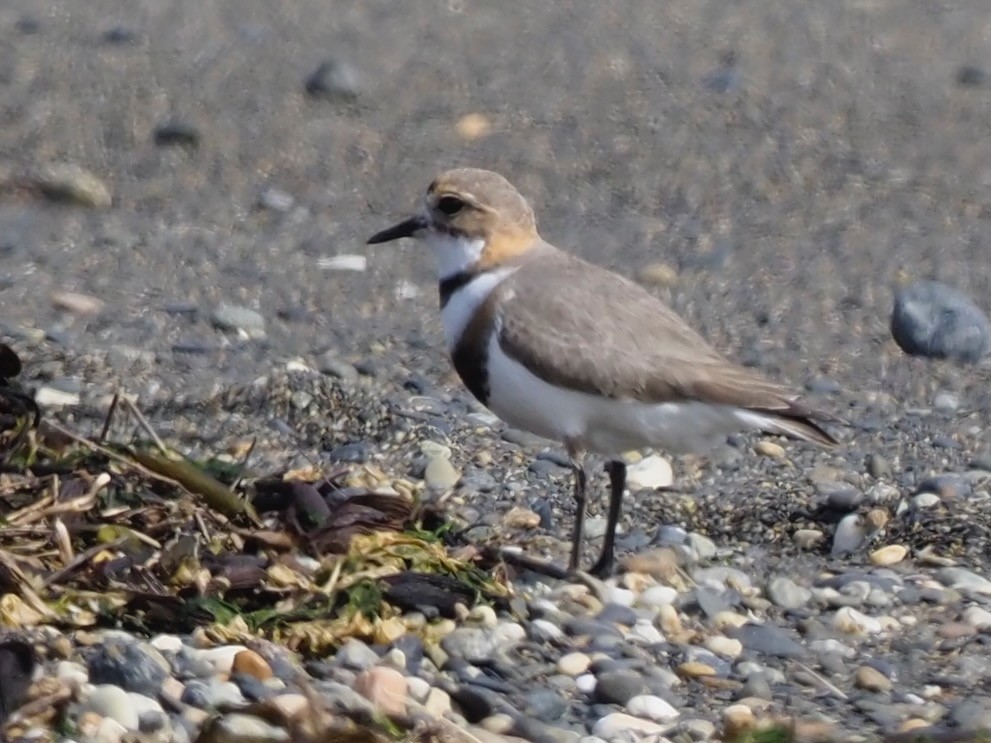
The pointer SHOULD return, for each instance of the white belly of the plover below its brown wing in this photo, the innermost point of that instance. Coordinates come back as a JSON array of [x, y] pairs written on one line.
[[602, 425]]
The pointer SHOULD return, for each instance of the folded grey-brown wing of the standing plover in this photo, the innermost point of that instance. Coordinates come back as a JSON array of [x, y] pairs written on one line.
[[588, 329]]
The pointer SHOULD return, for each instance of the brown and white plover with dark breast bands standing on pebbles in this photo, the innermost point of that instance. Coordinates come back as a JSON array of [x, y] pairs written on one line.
[[577, 354]]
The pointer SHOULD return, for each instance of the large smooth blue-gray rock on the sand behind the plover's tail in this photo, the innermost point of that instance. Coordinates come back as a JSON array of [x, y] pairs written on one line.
[[933, 320]]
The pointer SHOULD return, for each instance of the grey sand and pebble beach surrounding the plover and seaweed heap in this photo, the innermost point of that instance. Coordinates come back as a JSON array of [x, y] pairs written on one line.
[[185, 192]]
